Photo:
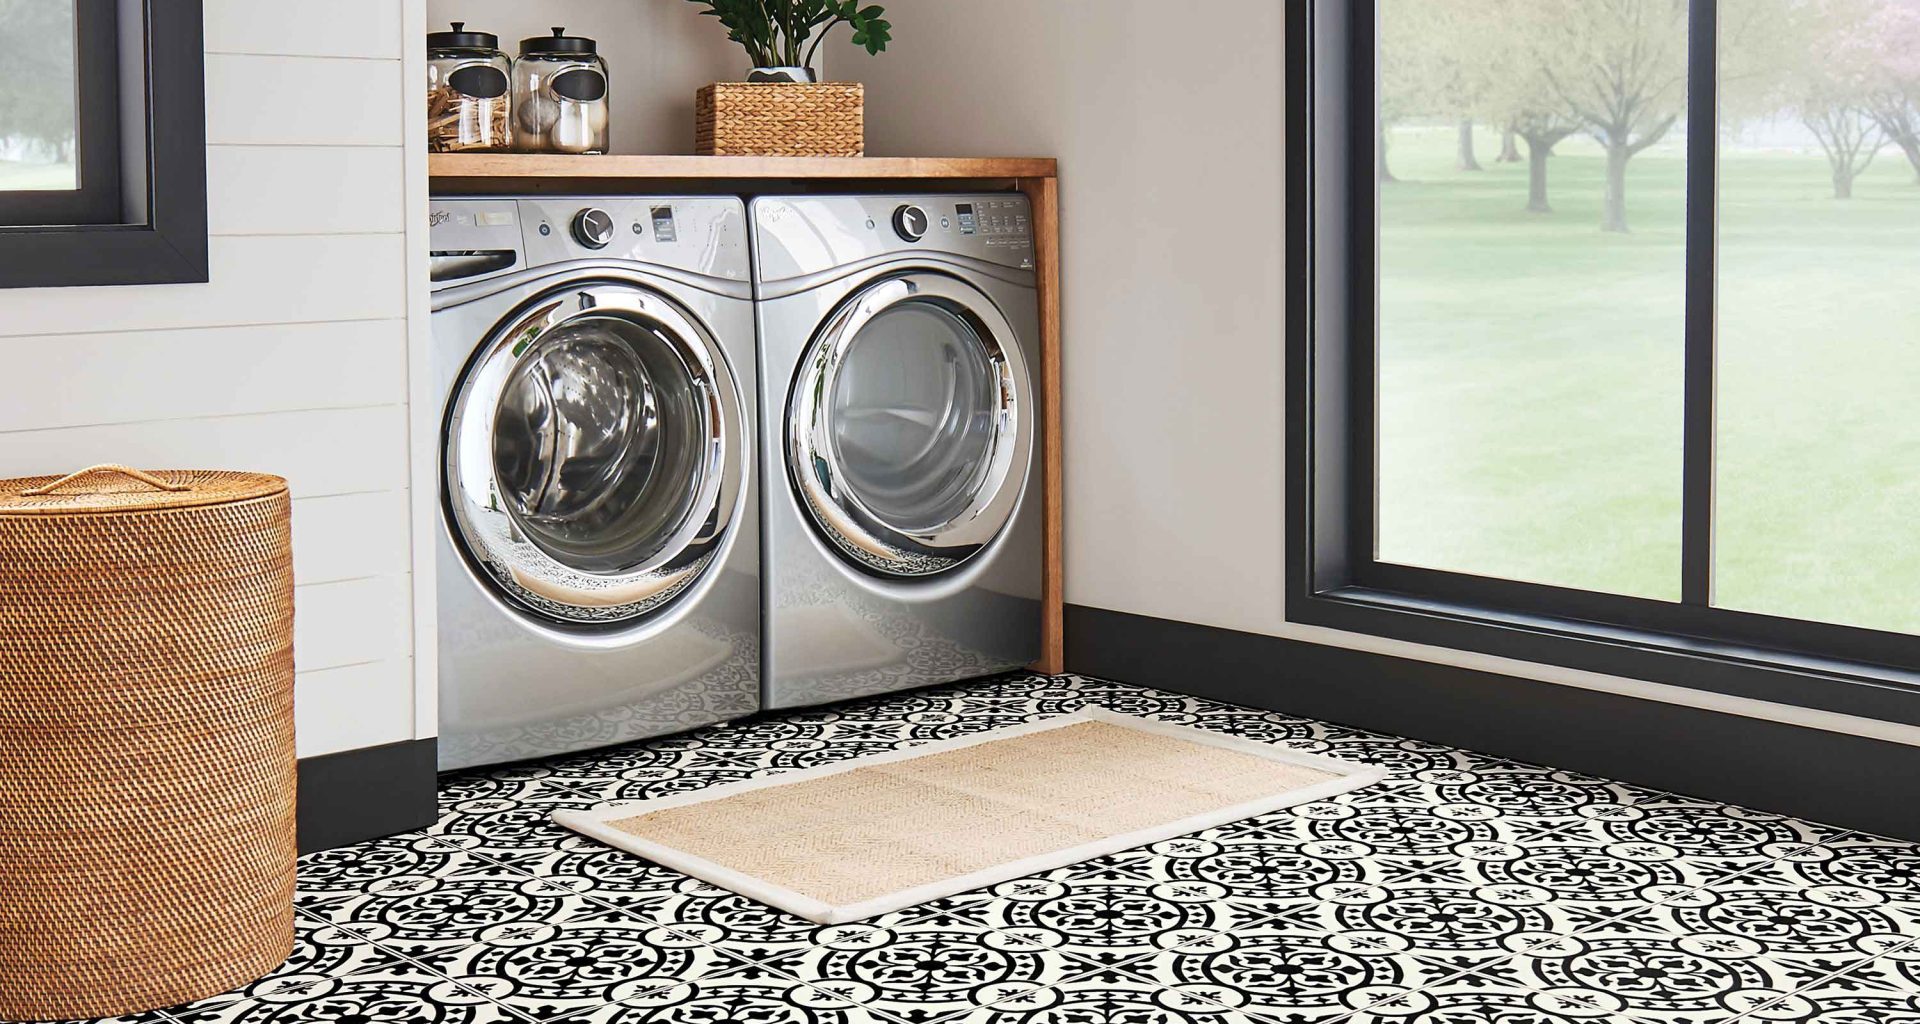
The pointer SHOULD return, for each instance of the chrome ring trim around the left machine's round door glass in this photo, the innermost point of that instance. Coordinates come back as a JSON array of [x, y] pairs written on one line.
[[487, 531]]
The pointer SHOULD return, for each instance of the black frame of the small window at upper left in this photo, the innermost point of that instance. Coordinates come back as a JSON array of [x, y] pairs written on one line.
[[101, 233]]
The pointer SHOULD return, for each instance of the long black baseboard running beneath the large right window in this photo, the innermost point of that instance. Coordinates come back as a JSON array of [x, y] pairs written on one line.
[[1831, 777]]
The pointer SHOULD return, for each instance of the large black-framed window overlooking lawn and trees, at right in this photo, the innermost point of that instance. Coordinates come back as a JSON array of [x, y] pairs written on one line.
[[1608, 347]]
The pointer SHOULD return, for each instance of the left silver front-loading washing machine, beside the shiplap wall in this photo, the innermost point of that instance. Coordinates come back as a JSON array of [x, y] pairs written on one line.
[[598, 558]]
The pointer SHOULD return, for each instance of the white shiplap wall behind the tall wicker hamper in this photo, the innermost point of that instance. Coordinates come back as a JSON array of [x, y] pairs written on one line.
[[293, 360]]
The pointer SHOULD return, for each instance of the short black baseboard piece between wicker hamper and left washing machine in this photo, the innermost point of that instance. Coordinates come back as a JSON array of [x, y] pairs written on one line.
[[364, 794]]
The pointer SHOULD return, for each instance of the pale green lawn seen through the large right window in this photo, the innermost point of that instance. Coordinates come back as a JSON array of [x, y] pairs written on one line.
[[1531, 374]]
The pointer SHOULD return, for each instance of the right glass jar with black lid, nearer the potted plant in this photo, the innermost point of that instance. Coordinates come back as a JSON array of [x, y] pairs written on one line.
[[560, 95]]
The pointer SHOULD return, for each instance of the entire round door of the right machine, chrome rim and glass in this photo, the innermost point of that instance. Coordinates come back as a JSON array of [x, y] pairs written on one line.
[[911, 426]]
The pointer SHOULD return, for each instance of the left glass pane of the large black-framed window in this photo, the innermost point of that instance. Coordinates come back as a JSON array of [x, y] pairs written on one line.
[[1529, 349]]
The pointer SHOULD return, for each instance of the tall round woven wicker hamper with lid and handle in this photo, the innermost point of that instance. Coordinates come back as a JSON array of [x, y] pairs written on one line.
[[147, 739]]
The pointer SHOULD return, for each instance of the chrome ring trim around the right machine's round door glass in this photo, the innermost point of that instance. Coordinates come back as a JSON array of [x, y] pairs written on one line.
[[836, 510]]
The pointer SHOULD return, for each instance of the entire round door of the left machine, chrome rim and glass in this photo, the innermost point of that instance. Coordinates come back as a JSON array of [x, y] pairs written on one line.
[[596, 454]]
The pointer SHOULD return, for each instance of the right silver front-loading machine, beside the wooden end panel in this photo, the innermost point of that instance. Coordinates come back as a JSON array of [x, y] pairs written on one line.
[[901, 508]]
